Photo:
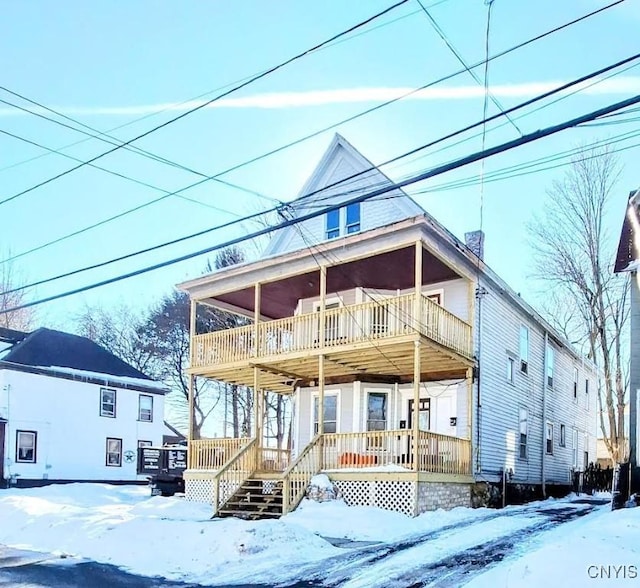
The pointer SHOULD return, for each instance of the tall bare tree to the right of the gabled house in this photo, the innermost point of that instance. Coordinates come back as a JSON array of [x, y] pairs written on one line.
[[574, 255]]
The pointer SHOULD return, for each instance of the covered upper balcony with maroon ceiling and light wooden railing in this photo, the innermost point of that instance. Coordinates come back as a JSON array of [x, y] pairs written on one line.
[[362, 303]]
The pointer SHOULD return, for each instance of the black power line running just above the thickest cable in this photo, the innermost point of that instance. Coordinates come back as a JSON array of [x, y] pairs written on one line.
[[559, 89]]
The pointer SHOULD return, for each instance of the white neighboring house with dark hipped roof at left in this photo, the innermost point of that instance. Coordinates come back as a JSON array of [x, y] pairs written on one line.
[[72, 411]]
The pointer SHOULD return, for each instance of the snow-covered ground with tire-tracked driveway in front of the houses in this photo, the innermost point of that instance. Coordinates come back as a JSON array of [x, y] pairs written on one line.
[[170, 537]]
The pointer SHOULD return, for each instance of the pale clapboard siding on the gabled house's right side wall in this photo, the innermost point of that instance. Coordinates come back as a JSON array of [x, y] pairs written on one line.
[[501, 400]]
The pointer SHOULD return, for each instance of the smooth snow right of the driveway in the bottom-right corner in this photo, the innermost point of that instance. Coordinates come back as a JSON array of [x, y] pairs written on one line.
[[600, 550]]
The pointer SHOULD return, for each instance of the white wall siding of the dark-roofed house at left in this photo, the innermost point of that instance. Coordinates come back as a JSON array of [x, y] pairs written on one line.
[[71, 434]]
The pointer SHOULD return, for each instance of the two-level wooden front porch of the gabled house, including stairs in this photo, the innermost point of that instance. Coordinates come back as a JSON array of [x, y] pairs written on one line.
[[370, 335]]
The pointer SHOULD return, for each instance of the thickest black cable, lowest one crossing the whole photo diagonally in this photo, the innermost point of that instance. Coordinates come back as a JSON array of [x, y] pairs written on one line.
[[439, 170]]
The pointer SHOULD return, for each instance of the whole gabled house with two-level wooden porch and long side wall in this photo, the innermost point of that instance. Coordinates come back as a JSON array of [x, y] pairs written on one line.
[[418, 376]]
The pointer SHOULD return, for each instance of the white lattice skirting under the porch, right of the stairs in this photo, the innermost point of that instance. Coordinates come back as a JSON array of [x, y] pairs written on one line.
[[387, 494]]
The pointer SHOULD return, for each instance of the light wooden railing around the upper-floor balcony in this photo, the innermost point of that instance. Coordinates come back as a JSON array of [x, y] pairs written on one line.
[[388, 317]]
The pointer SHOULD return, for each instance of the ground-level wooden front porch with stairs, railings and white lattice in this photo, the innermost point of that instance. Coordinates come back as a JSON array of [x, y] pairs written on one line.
[[373, 468]]
